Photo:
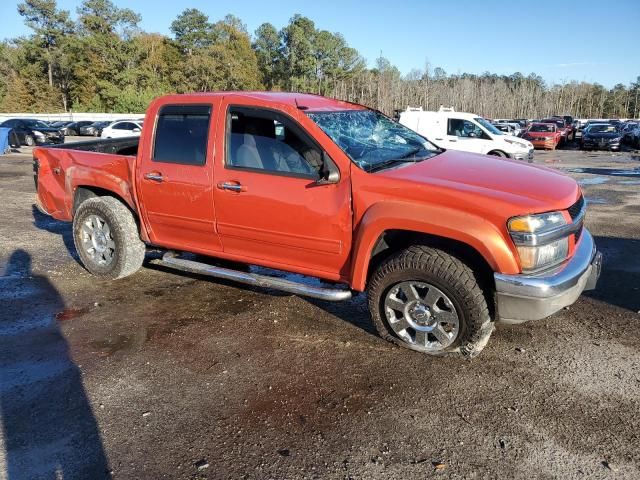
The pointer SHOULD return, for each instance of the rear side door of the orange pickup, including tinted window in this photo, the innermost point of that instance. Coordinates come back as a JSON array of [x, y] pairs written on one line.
[[175, 177]]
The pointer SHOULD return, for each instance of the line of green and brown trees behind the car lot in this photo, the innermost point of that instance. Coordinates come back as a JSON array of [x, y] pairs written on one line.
[[104, 62]]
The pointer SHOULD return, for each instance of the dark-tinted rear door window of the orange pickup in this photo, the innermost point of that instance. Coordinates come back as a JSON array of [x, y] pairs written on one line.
[[181, 134]]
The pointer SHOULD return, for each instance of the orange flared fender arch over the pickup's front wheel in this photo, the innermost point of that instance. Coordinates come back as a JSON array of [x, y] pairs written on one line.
[[485, 237]]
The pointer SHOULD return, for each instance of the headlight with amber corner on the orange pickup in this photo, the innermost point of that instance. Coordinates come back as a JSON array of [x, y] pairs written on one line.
[[529, 233]]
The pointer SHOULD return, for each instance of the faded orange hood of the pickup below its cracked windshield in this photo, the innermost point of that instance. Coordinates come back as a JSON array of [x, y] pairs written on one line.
[[531, 187]]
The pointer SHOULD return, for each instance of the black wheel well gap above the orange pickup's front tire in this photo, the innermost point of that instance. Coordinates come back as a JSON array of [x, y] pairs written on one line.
[[392, 241]]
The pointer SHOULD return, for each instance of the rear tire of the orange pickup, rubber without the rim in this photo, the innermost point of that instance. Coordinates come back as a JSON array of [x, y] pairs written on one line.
[[129, 250]]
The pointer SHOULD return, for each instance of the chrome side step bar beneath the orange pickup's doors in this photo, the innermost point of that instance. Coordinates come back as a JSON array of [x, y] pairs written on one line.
[[329, 294]]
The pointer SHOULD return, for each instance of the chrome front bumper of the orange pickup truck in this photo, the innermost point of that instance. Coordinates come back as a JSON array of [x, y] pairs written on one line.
[[521, 298]]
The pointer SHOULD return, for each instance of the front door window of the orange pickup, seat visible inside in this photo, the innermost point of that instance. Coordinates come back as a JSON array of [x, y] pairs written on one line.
[[269, 141]]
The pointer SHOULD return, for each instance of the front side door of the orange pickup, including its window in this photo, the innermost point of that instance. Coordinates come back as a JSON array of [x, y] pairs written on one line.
[[269, 209]]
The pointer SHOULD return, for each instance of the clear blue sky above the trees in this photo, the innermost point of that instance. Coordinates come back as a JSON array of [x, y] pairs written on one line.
[[587, 40]]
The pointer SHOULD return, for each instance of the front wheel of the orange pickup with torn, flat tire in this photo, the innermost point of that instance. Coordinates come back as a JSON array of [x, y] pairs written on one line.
[[427, 300]]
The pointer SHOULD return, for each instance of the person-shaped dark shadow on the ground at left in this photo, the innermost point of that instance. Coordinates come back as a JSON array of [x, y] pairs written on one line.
[[48, 427]]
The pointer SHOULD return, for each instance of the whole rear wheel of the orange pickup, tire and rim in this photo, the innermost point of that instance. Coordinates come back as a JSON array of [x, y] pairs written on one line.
[[106, 237]]
